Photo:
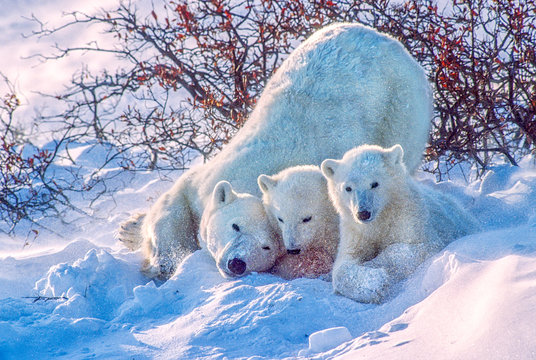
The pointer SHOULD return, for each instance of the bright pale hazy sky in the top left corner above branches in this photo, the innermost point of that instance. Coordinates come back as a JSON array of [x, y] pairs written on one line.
[[30, 75]]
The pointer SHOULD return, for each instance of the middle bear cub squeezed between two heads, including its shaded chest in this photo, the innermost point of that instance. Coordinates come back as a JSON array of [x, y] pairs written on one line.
[[297, 202]]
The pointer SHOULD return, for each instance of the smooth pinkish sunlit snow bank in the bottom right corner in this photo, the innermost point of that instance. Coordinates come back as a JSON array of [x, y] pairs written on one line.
[[483, 308]]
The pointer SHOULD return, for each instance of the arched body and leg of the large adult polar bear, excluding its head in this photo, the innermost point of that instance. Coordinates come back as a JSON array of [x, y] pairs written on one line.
[[344, 86]]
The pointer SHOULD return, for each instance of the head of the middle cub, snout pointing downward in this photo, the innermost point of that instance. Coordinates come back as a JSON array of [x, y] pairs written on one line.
[[297, 201]]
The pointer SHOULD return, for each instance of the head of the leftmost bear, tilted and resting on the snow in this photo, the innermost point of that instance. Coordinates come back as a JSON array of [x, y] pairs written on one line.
[[237, 232]]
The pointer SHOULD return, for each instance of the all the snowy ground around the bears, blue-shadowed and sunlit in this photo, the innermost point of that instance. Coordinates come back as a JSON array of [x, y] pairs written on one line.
[[474, 300]]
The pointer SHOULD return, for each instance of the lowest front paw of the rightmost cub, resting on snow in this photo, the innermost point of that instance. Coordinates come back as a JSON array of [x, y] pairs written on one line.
[[361, 283]]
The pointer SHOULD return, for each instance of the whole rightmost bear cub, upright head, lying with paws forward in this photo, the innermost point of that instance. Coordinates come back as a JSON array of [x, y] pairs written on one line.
[[389, 224]]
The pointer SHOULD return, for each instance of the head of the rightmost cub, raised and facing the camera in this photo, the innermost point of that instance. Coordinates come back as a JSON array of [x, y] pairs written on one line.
[[361, 182]]
